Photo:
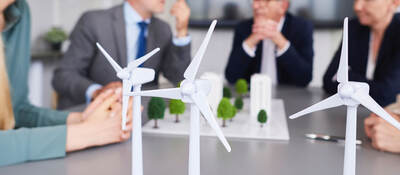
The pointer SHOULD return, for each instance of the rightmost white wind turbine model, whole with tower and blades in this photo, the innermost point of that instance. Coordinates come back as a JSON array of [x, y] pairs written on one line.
[[350, 94]]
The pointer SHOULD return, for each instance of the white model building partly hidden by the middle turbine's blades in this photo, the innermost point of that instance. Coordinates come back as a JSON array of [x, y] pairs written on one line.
[[215, 95]]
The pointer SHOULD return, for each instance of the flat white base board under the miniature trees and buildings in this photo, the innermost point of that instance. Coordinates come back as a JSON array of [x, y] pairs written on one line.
[[243, 125]]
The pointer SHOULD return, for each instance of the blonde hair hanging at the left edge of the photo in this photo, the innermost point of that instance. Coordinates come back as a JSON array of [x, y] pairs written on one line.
[[7, 120]]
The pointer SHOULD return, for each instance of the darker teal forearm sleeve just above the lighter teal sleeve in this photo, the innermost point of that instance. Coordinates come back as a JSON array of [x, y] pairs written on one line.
[[27, 115]]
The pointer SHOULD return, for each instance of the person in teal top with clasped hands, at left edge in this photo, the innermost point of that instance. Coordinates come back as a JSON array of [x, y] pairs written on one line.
[[30, 133]]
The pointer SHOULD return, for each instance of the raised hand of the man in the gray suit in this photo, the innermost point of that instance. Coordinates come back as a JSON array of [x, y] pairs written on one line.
[[181, 11]]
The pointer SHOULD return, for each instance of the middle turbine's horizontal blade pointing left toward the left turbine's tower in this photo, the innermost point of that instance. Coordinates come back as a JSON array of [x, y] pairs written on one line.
[[172, 93]]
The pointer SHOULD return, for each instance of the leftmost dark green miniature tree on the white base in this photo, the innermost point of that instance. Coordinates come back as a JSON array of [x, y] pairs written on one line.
[[156, 110]]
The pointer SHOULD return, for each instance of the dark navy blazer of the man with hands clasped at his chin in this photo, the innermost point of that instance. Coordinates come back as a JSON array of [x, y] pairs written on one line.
[[294, 67]]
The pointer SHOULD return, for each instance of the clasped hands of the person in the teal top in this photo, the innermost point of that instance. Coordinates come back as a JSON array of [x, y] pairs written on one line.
[[101, 126]]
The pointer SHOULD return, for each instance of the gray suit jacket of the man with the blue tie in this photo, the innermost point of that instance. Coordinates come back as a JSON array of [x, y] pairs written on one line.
[[83, 64]]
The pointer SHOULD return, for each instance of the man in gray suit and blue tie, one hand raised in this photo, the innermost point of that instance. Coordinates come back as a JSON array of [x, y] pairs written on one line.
[[127, 32]]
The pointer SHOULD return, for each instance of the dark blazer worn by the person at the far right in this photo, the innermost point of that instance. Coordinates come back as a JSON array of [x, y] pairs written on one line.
[[386, 80]]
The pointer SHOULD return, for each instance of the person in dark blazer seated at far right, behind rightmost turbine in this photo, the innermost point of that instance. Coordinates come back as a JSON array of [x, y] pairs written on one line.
[[374, 54]]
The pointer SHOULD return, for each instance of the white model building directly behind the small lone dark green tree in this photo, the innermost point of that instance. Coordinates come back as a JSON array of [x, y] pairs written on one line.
[[260, 94]]
